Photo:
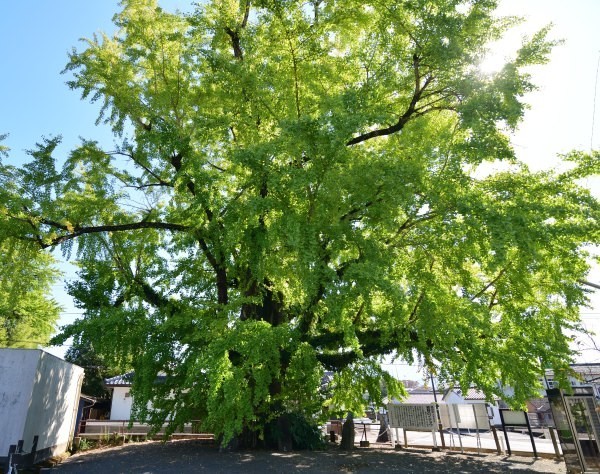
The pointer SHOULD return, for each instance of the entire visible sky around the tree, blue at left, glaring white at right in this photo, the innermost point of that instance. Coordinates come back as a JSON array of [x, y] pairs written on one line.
[[36, 35]]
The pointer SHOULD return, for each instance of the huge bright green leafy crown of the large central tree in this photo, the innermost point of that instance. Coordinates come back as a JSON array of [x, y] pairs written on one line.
[[305, 186]]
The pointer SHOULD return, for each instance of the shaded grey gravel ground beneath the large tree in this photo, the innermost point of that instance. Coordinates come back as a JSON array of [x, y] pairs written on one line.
[[181, 457]]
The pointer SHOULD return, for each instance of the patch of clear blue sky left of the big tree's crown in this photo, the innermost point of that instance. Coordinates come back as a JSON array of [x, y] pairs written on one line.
[[35, 37]]
